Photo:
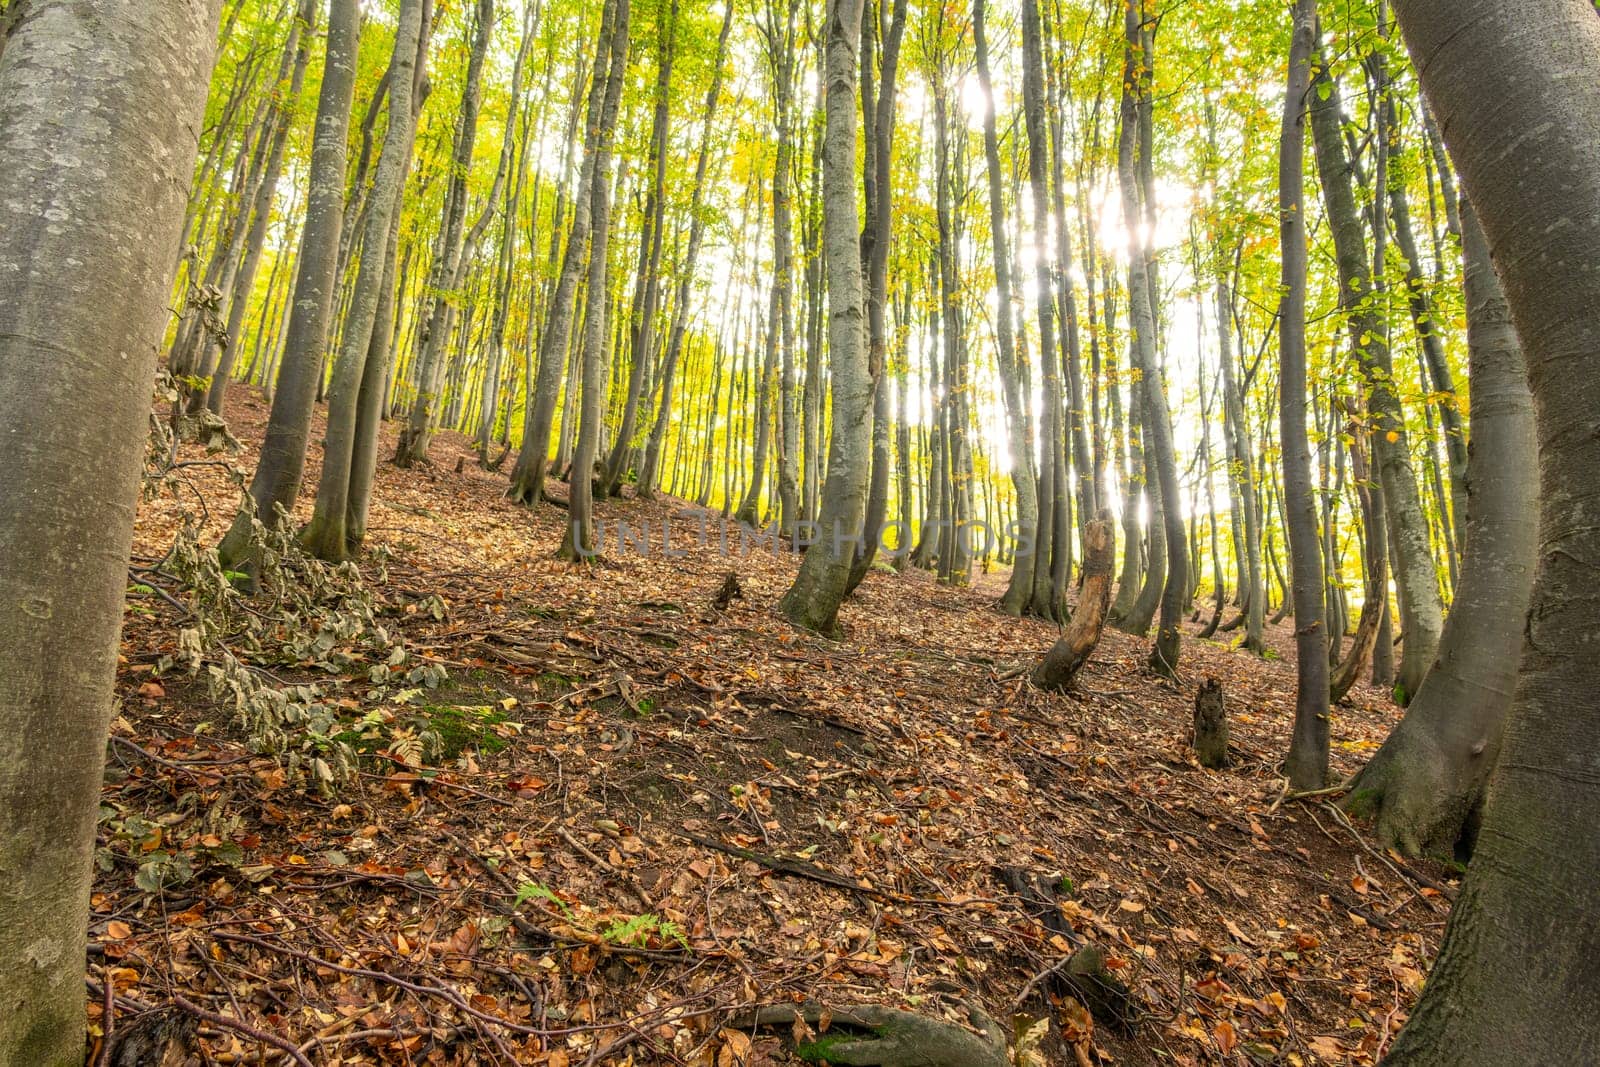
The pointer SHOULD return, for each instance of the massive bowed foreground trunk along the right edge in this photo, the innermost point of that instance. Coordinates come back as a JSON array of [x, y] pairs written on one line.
[[1519, 106]]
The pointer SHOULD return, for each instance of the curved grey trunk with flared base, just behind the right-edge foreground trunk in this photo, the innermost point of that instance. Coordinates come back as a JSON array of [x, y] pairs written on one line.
[[1425, 786]]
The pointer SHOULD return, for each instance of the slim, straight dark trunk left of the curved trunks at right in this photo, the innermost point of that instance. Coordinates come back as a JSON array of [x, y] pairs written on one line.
[[1308, 761]]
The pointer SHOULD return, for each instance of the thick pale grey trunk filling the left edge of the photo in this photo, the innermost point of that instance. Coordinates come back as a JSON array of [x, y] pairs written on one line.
[[94, 212]]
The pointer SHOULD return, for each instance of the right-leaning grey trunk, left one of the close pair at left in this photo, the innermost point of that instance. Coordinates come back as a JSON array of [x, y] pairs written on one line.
[[282, 465]]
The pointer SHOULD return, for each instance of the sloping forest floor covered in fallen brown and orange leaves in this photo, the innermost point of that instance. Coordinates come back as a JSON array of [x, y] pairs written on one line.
[[655, 815]]
